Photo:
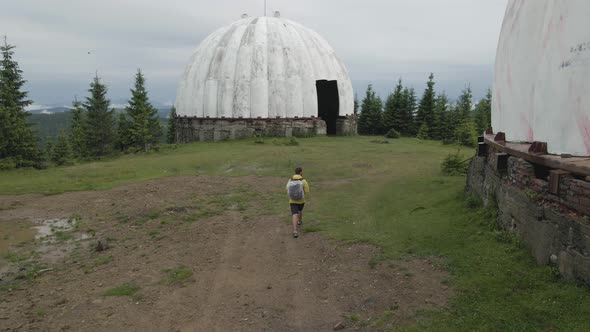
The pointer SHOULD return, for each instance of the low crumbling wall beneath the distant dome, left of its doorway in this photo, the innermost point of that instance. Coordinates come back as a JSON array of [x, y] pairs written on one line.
[[199, 129]]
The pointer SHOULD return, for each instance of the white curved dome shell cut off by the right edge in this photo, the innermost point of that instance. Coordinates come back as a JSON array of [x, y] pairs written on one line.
[[542, 75]]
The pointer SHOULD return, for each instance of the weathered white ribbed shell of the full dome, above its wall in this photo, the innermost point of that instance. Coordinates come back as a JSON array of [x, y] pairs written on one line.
[[261, 67]]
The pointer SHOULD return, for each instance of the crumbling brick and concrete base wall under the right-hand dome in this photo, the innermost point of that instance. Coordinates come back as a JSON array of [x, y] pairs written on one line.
[[555, 228]]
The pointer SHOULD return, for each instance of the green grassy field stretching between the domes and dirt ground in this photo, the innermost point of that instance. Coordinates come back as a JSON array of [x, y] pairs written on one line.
[[392, 195]]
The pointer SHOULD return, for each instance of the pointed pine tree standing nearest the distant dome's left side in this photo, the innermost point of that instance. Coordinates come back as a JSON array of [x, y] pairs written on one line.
[[144, 124]]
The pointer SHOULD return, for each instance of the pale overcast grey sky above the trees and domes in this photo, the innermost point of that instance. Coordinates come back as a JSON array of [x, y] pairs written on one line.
[[61, 43]]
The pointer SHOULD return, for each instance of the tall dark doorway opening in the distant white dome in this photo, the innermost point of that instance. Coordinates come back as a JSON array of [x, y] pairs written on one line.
[[328, 103]]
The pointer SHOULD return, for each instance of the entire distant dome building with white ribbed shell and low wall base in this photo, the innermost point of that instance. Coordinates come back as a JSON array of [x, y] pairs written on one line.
[[264, 76]]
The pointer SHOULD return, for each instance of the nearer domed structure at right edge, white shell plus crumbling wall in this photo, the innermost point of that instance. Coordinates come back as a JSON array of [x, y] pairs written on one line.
[[541, 111]]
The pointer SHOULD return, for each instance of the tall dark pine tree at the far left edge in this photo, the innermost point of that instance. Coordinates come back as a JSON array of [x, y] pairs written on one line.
[[18, 140]]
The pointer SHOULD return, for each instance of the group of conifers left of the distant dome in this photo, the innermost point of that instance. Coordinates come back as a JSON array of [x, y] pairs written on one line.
[[90, 130]]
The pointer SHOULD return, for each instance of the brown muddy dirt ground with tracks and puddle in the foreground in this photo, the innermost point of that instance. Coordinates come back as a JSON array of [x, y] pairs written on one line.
[[197, 254]]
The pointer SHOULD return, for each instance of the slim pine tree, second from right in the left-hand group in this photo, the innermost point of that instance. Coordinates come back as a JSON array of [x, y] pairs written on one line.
[[99, 121]]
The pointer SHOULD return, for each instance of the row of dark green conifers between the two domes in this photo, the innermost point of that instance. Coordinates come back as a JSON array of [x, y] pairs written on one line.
[[433, 116]]
